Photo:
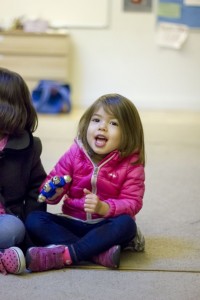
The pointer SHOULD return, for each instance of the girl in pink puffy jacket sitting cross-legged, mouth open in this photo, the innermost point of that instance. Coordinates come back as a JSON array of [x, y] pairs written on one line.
[[106, 164]]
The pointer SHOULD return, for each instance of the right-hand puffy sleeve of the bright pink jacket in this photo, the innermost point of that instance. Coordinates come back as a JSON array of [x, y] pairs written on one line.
[[130, 200]]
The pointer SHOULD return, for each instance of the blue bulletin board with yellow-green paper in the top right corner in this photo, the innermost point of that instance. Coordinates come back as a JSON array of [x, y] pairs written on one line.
[[186, 12]]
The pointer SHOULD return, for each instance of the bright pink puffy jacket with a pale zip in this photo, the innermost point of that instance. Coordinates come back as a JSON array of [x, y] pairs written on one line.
[[114, 180]]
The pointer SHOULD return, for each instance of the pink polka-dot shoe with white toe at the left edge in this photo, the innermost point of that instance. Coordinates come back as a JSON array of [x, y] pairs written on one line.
[[12, 261]]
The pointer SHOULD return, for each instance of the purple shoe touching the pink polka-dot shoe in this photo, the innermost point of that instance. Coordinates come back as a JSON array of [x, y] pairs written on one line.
[[40, 259]]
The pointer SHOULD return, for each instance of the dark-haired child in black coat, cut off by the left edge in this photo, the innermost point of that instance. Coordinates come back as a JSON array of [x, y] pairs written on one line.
[[21, 171]]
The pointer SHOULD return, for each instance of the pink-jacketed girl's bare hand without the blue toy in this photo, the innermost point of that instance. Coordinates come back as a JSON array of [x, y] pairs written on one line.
[[93, 204]]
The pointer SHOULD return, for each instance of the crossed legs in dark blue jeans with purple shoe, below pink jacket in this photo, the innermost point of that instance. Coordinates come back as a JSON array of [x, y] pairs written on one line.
[[83, 241]]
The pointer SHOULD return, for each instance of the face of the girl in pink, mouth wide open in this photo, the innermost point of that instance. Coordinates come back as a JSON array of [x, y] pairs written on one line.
[[103, 133]]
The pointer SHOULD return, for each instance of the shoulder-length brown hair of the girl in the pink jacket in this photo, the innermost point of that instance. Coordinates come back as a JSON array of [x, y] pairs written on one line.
[[129, 120]]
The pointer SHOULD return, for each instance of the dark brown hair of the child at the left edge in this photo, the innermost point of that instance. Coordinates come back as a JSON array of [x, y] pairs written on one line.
[[16, 110]]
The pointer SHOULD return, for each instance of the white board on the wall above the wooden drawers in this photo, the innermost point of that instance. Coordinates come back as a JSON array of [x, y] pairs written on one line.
[[59, 13]]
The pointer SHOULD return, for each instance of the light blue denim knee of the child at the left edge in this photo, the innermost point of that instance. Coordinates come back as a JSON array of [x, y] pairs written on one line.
[[12, 231]]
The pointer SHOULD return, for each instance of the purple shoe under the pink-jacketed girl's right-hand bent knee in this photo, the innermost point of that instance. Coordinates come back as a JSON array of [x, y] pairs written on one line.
[[109, 258]]
